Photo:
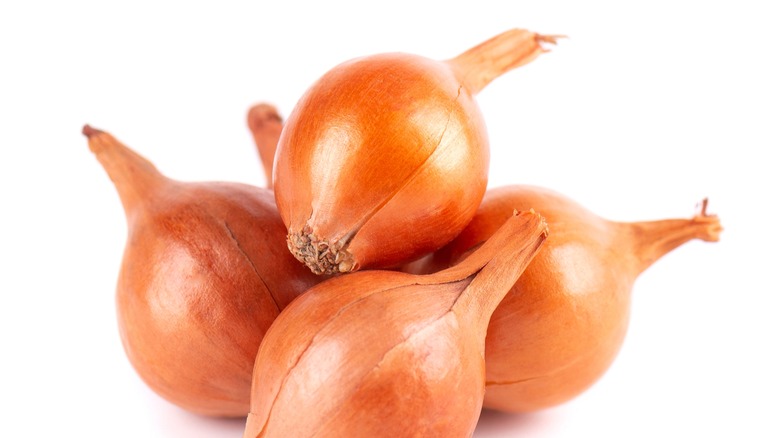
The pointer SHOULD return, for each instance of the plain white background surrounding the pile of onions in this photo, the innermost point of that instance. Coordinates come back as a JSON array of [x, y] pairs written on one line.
[[644, 110]]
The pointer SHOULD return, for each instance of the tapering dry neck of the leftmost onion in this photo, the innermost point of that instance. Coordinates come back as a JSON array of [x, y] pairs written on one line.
[[134, 177]]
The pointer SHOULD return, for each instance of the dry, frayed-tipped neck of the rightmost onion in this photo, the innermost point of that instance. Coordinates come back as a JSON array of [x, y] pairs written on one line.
[[654, 239]]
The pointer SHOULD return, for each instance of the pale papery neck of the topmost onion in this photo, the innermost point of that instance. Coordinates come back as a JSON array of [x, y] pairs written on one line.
[[480, 65]]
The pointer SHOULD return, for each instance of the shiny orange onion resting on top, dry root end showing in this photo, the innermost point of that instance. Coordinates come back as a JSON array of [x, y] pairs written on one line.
[[385, 157]]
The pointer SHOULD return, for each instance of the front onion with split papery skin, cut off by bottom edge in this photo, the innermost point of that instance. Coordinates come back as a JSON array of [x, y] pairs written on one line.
[[386, 353]]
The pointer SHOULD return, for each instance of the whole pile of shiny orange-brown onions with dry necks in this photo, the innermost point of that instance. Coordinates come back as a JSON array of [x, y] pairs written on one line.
[[375, 288]]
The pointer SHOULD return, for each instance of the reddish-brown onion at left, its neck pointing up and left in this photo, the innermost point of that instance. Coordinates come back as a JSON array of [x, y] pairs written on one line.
[[204, 273]]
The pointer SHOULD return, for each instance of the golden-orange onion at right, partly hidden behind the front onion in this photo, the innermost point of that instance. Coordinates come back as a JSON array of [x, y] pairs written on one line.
[[561, 325]]
